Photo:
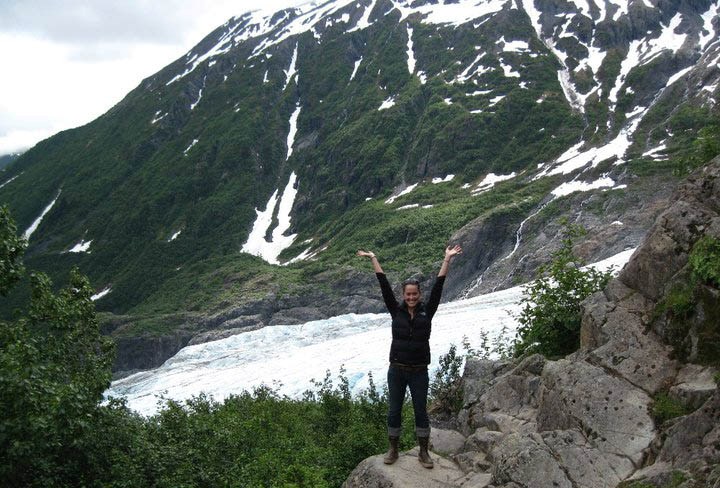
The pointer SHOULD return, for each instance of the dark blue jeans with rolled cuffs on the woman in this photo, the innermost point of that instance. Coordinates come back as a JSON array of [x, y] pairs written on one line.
[[399, 379]]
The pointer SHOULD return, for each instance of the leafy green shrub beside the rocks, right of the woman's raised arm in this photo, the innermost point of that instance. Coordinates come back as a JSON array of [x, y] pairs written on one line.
[[551, 315]]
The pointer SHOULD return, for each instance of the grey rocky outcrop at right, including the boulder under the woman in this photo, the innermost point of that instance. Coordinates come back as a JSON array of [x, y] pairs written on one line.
[[595, 418]]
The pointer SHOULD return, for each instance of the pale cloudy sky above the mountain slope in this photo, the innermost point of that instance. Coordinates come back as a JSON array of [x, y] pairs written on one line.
[[66, 62]]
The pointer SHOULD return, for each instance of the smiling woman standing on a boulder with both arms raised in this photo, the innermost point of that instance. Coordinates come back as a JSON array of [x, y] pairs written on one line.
[[410, 352]]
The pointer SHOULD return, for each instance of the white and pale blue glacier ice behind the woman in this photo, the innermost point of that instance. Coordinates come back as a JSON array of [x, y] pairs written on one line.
[[289, 357]]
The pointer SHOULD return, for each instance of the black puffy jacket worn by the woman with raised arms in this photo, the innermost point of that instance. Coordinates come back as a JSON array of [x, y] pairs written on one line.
[[411, 336]]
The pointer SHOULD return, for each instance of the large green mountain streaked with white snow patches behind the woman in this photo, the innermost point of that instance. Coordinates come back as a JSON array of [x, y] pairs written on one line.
[[232, 187]]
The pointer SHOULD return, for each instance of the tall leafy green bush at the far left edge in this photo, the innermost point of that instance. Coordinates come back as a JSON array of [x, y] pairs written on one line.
[[54, 368]]
